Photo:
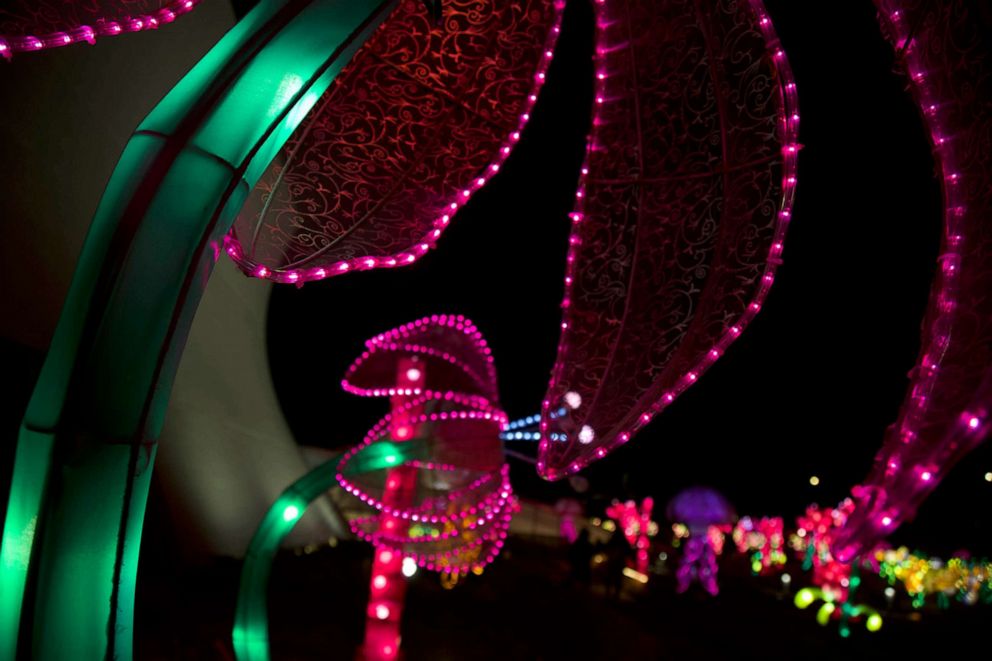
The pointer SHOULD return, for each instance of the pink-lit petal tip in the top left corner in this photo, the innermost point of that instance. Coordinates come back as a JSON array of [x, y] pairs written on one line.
[[41, 25]]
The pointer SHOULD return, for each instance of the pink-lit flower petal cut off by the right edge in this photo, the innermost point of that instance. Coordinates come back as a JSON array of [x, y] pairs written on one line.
[[946, 410]]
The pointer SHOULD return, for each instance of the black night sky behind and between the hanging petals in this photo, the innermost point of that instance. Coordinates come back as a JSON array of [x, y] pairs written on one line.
[[808, 388]]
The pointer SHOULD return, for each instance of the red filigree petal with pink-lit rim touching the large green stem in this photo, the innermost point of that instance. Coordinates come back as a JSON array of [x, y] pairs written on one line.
[[405, 135]]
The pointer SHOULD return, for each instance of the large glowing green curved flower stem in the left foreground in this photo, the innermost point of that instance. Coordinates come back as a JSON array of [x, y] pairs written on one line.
[[87, 443]]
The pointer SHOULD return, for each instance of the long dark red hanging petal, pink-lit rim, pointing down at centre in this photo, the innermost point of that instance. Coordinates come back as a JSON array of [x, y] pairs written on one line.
[[630, 346]]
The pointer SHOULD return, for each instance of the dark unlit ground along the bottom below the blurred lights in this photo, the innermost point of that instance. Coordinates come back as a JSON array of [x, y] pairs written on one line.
[[524, 607]]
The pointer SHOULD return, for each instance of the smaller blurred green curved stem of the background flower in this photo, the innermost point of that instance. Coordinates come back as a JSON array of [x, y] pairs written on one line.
[[251, 617]]
